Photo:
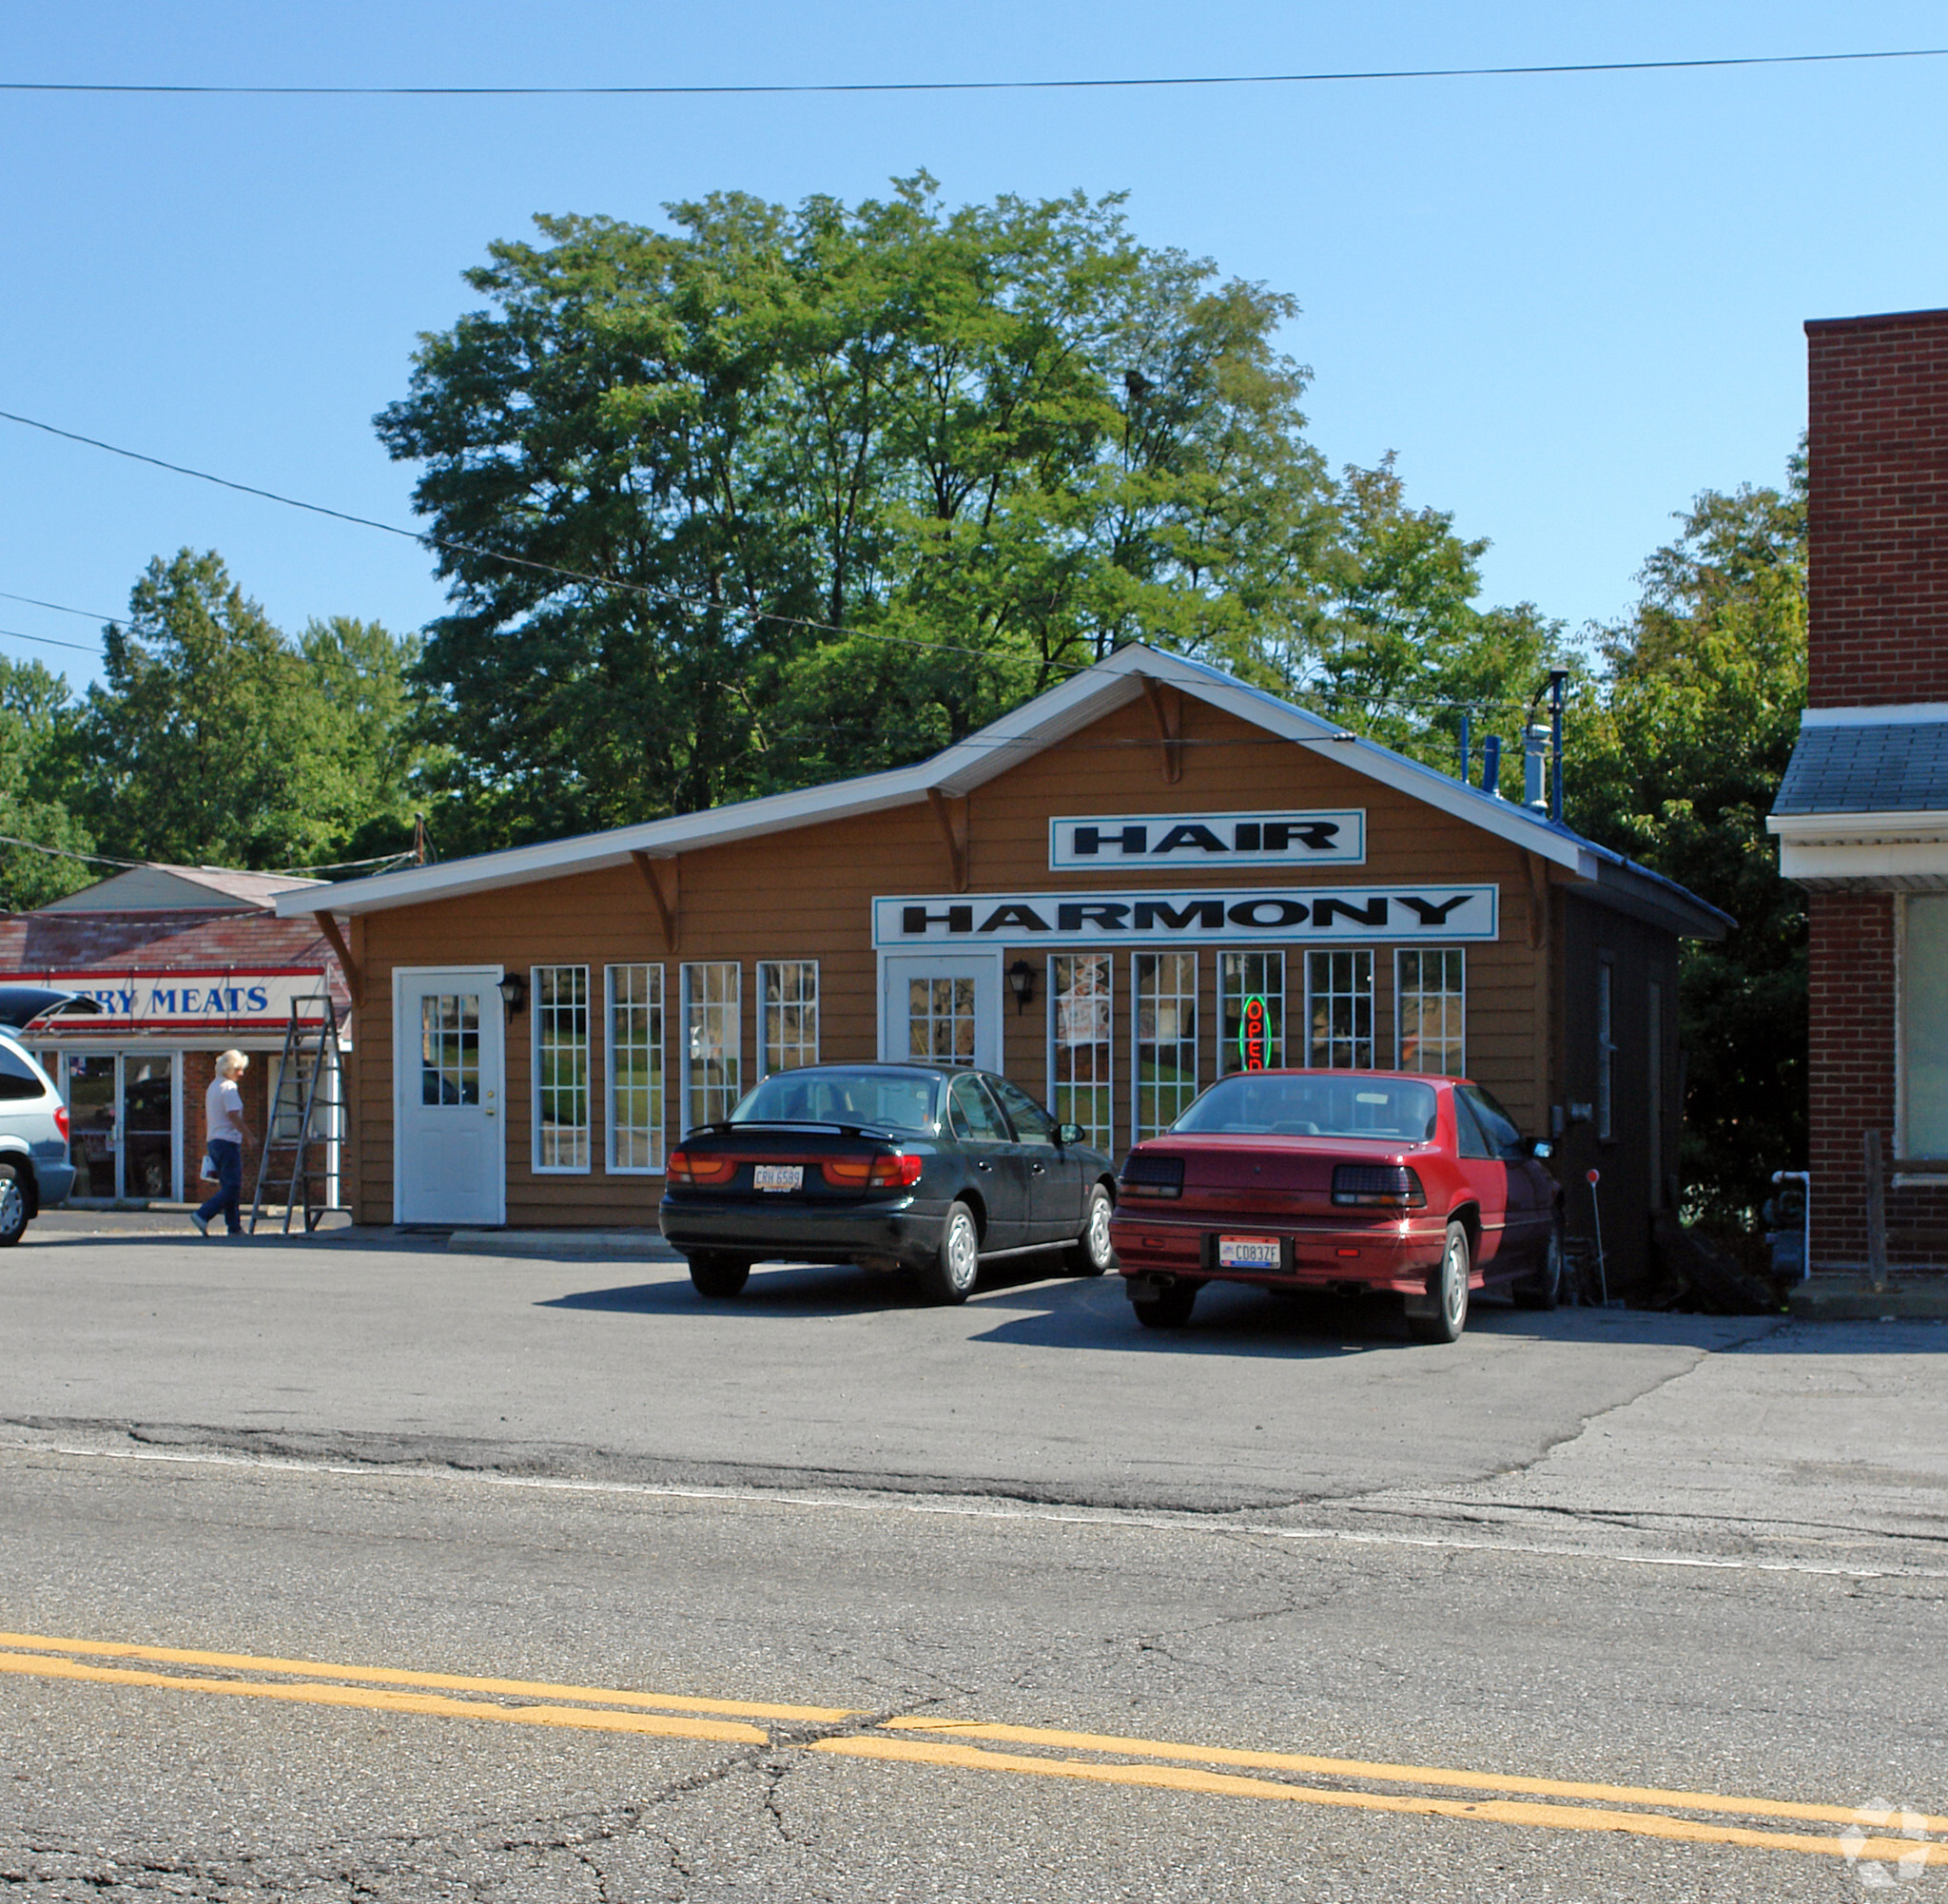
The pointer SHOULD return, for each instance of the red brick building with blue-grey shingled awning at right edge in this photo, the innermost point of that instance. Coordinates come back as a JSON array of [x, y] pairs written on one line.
[[1863, 811]]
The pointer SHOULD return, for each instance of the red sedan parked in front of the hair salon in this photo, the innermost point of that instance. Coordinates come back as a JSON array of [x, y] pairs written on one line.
[[1341, 1181]]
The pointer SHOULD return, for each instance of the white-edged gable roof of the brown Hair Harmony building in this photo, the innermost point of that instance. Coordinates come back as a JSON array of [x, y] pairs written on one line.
[[1033, 727]]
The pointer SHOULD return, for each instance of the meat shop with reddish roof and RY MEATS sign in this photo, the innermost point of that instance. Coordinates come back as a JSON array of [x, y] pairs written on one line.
[[186, 963]]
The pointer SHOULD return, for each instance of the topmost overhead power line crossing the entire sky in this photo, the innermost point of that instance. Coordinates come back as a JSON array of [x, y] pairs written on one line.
[[969, 87]]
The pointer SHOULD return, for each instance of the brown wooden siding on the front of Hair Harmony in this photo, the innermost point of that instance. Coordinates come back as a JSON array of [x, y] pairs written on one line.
[[807, 895]]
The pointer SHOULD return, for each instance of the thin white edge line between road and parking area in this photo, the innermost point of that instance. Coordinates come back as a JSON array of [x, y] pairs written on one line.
[[977, 1510]]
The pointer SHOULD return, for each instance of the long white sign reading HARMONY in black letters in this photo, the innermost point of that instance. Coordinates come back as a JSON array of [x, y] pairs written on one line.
[[1306, 914]]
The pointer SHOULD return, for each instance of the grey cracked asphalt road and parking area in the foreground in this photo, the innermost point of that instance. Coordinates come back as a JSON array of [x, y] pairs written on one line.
[[831, 1597]]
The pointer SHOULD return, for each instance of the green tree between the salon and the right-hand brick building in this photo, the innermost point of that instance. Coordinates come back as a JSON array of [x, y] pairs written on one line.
[[1676, 762]]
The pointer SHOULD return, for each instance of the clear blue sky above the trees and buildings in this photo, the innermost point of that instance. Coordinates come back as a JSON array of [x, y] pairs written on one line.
[[1565, 303]]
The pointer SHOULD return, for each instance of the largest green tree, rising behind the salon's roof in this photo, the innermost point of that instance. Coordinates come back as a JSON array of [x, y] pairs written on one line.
[[856, 480]]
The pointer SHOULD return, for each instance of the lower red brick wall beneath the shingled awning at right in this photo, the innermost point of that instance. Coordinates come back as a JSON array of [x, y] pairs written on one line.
[[1854, 1087]]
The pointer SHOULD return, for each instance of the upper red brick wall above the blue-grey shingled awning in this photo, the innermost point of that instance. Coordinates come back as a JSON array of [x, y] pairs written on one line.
[[1879, 509]]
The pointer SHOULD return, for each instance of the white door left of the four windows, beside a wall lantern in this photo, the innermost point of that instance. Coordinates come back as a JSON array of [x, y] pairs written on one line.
[[451, 1150]]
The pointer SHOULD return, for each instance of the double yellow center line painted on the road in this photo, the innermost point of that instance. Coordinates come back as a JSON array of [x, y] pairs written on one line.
[[1104, 1759]]
